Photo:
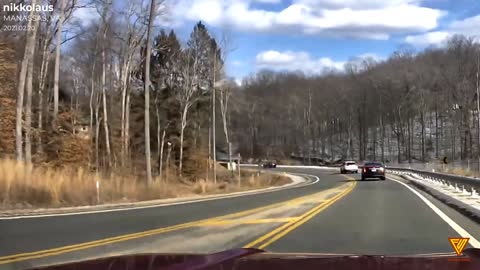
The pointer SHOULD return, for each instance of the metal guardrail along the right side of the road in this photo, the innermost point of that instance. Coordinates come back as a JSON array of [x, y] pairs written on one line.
[[467, 183]]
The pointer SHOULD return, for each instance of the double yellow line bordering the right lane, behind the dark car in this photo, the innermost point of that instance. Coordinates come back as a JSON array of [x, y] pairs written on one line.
[[283, 230]]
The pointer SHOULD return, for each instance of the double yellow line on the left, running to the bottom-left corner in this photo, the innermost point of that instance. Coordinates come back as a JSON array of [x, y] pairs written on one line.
[[121, 238]]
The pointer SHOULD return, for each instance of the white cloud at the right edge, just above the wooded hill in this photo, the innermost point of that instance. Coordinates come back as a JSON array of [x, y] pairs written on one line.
[[468, 26]]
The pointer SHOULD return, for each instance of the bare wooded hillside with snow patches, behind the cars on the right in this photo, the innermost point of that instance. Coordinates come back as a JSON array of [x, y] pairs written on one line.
[[413, 106]]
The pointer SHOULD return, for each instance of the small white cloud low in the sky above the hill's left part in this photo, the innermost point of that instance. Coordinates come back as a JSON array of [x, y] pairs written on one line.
[[293, 61]]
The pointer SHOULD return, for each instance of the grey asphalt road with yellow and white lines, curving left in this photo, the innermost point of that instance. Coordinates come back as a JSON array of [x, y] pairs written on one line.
[[337, 214]]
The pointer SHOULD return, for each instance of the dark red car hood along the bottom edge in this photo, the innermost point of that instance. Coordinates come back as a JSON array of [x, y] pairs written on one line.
[[252, 259]]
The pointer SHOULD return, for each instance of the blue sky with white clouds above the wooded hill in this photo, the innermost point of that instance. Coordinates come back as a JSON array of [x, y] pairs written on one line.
[[312, 35]]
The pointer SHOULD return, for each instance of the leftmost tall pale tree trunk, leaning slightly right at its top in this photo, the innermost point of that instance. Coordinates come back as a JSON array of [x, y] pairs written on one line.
[[27, 57]]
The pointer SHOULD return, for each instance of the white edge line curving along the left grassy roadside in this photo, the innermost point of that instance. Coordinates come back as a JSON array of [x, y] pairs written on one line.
[[233, 195]]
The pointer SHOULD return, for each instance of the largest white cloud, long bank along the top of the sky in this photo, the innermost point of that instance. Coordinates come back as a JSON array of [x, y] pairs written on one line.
[[371, 19]]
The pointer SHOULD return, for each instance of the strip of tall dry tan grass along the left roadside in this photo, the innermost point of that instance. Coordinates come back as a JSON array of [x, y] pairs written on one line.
[[26, 187]]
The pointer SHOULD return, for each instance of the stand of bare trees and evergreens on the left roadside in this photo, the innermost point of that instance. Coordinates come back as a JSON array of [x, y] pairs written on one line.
[[85, 97]]
